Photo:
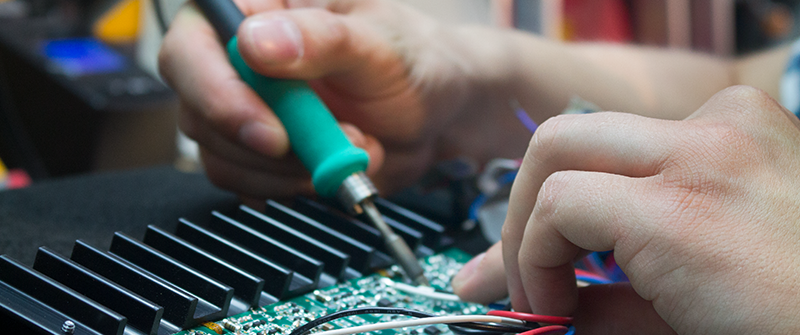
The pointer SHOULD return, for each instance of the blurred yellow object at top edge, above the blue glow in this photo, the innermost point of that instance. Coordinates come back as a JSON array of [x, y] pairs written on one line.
[[120, 24]]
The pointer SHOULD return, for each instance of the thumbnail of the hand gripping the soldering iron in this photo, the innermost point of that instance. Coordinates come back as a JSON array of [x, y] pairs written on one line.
[[275, 39]]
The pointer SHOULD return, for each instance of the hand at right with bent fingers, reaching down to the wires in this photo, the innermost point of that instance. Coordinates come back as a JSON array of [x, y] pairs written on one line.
[[703, 216]]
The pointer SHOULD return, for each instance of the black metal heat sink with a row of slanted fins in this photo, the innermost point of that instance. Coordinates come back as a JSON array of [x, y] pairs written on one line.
[[170, 281]]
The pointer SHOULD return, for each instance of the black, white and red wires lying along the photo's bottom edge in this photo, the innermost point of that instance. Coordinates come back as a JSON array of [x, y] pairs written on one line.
[[494, 322]]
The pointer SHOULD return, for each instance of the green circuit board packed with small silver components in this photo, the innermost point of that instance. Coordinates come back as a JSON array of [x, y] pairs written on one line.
[[374, 290]]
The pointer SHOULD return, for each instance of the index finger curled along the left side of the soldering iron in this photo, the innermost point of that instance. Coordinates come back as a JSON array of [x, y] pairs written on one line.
[[195, 64]]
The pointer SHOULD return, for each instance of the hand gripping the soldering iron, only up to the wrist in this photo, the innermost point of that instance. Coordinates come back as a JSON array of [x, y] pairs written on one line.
[[386, 72]]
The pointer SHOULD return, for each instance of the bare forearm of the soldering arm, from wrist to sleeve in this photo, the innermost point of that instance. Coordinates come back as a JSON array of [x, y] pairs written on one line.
[[543, 75]]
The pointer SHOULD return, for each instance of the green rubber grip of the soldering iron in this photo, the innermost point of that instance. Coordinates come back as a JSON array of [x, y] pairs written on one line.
[[314, 134]]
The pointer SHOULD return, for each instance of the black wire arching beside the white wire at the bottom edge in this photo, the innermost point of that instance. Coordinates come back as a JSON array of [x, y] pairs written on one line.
[[487, 327]]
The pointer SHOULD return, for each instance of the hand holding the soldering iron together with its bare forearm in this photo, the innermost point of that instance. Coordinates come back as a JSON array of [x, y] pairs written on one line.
[[408, 89]]
